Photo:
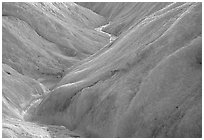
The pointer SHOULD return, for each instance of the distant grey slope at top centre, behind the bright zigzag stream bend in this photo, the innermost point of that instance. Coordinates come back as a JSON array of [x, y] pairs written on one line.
[[122, 15]]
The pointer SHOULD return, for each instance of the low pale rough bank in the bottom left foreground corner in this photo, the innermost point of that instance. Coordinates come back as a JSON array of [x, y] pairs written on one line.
[[14, 128]]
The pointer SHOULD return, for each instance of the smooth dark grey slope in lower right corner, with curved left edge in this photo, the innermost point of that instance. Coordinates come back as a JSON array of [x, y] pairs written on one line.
[[169, 103]]
